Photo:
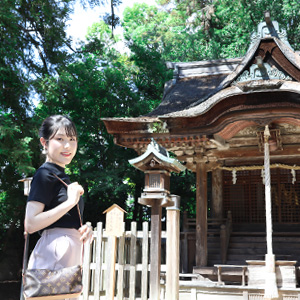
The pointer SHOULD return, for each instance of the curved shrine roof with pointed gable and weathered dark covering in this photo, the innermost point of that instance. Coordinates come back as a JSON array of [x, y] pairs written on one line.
[[198, 87]]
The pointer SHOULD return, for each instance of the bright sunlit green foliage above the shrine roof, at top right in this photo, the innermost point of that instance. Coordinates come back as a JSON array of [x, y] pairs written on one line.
[[202, 30]]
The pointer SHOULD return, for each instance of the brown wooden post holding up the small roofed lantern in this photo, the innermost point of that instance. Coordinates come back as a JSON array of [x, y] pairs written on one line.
[[155, 250]]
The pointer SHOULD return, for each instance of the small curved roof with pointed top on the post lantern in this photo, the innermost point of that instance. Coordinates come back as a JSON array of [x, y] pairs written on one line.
[[156, 157]]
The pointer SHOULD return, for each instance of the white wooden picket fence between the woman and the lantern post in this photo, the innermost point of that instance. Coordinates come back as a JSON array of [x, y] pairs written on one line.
[[132, 264]]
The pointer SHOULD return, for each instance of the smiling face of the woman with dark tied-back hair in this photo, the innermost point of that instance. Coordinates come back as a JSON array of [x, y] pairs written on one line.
[[61, 148]]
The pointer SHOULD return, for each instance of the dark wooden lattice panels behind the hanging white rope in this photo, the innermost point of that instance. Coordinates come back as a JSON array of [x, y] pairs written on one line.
[[246, 198]]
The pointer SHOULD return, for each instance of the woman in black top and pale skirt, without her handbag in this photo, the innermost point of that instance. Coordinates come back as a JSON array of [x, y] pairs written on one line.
[[52, 207]]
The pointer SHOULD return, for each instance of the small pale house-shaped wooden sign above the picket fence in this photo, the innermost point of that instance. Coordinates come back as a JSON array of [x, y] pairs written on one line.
[[114, 225]]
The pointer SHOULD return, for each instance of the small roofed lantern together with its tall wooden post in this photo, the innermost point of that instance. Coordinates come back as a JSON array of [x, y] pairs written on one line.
[[157, 166]]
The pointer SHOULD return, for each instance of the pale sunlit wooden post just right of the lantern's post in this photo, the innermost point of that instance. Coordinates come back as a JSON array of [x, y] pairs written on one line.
[[173, 237]]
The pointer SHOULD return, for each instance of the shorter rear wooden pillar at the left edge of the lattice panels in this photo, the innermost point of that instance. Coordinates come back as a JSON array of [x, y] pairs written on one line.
[[217, 194]]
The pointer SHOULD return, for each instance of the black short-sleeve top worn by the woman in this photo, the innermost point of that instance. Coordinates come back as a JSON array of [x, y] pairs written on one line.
[[47, 189]]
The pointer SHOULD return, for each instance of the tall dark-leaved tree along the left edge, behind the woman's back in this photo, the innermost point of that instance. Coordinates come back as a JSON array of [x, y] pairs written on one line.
[[34, 45]]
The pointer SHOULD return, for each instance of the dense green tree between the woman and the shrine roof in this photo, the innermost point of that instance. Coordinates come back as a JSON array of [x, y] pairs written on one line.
[[99, 83]]
